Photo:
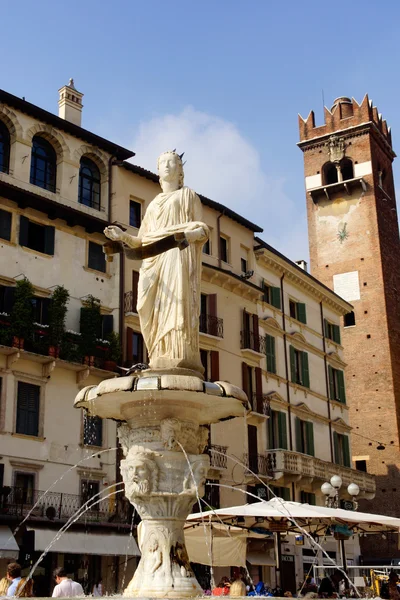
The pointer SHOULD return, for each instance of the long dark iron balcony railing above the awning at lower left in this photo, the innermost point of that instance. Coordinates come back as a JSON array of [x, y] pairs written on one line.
[[18, 502]]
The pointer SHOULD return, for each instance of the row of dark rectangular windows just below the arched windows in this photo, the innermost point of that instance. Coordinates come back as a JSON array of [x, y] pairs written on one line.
[[41, 238]]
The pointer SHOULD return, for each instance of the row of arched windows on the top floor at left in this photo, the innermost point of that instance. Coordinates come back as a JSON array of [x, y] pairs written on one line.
[[43, 172]]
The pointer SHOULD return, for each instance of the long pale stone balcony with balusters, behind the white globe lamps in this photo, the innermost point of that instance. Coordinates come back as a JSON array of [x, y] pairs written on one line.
[[294, 466]]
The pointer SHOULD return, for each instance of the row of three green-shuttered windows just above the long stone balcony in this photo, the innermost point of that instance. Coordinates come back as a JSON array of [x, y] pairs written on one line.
[[304, 436]]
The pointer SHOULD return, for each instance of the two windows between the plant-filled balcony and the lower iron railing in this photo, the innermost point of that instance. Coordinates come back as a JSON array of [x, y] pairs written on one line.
[[28, 416]]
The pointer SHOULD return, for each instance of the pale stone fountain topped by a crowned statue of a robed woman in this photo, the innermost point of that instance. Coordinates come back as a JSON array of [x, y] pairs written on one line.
[[164, 409]]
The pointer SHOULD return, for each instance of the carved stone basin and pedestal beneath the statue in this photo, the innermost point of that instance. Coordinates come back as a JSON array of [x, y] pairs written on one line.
[[164, 470]]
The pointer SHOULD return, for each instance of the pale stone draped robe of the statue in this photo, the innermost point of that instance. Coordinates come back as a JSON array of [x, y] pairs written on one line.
[[169, 284]]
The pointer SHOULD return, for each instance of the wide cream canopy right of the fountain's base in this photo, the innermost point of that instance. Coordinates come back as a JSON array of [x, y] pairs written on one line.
[[278, 514]]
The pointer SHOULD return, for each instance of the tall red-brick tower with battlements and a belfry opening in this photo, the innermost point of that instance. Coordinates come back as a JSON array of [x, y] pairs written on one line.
[[355, 250]]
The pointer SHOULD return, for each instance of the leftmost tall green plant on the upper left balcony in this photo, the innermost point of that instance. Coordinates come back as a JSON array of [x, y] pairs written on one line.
[[22, 313]]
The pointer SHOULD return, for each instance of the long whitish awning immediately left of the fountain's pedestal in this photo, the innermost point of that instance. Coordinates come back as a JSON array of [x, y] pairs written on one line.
[[104, 544]]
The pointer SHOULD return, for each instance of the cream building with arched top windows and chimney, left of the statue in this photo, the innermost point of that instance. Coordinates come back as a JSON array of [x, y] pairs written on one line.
[[55, 186]]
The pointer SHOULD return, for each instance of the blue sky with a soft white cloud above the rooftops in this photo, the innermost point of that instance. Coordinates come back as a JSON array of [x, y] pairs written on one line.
[[222, 80]]
